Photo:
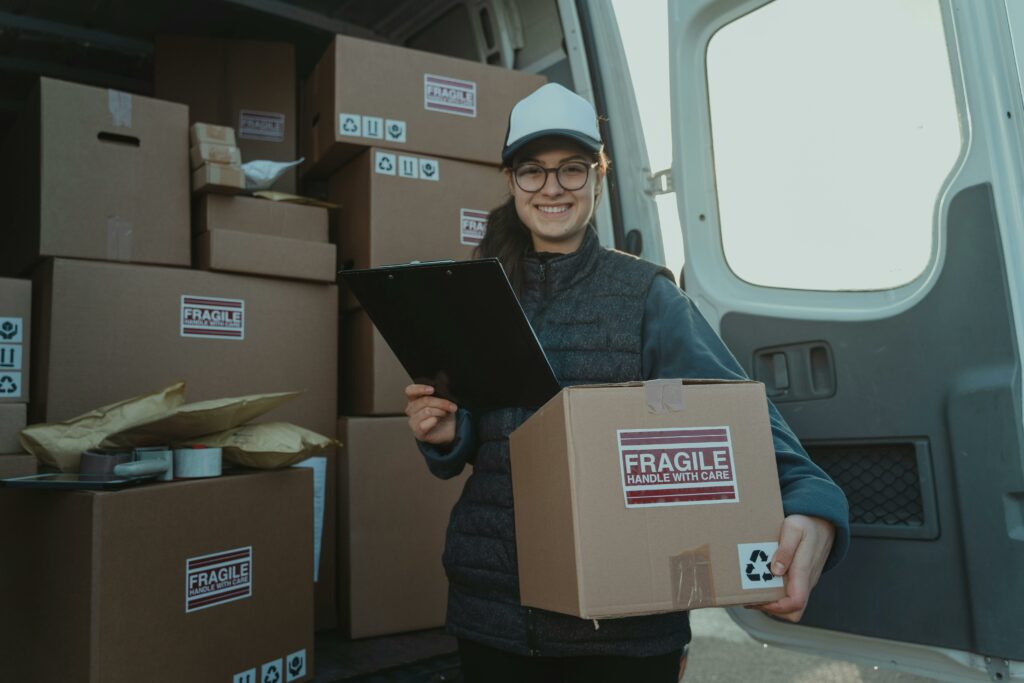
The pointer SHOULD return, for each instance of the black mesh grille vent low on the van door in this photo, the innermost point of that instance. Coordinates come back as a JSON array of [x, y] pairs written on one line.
[[881, 482]]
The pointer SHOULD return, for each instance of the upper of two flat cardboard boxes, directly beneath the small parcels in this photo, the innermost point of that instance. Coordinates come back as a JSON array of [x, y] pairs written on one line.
[[250, 215]]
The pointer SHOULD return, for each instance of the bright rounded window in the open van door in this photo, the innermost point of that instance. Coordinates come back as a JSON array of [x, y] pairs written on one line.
[[834, 126]]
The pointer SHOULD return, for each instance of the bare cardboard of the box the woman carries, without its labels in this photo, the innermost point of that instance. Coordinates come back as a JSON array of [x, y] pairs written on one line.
[[627, 559]]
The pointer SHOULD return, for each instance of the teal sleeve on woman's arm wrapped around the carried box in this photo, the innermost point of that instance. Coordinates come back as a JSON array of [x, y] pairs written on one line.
[[678, 343]]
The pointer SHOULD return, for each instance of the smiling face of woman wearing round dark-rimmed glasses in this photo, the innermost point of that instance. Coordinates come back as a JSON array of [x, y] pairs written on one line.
[[557, 218]]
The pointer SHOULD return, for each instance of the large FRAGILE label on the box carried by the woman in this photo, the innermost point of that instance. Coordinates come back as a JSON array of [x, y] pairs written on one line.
[[680, 466]]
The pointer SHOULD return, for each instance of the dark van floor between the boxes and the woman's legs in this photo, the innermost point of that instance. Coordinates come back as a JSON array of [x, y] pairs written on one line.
[[422, 657]]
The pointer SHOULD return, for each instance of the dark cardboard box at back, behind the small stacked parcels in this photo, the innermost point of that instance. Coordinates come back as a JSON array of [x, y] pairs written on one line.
[[248, 86]]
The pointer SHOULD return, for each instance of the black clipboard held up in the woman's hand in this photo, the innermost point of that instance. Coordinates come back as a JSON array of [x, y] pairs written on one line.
[[458, 327]]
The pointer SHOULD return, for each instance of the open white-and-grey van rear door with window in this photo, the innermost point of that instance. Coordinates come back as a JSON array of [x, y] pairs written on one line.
[[849, 181]]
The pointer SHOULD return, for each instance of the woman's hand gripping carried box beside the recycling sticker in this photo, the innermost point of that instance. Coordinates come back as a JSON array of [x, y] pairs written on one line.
[[803, 548]]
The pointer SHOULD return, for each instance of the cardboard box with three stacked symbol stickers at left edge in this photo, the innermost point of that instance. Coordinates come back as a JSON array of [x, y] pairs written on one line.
[[16, 349]]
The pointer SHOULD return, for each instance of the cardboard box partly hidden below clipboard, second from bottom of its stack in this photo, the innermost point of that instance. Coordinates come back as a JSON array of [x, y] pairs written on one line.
[[372, 380]]
